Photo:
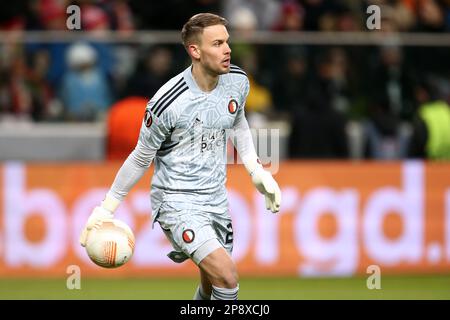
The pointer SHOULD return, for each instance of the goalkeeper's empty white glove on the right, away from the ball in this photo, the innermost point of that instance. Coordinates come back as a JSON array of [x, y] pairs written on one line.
[[267, 185]]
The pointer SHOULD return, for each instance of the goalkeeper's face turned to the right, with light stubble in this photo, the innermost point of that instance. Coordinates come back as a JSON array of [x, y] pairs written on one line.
[[215, 53]]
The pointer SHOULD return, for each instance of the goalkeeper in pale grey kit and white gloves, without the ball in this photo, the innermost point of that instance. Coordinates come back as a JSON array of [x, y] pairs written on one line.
[[184, 132]]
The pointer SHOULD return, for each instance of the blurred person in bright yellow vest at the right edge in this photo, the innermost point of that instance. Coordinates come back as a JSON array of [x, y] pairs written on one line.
[[431, 128]]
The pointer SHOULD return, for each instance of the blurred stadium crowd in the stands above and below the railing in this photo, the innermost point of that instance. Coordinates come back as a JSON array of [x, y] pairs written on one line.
[[400, 95]]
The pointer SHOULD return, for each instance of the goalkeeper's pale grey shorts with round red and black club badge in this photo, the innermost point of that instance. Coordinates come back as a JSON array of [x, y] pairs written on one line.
[[194, 233]]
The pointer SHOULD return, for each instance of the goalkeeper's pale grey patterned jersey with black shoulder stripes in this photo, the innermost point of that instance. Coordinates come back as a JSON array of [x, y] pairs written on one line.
[[185, 132]]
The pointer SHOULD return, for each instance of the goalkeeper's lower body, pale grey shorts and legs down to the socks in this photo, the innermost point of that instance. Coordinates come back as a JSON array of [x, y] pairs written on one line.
[[194, 236]]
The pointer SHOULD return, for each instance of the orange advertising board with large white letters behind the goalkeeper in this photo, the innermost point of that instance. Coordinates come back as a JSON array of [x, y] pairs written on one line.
[[337, 218]]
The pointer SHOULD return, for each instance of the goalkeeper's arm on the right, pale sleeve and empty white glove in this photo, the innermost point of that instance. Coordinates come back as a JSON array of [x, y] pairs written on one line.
[[243, 142]]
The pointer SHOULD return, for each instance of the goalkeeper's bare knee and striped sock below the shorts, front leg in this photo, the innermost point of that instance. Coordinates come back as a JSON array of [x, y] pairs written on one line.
[[221, 271]]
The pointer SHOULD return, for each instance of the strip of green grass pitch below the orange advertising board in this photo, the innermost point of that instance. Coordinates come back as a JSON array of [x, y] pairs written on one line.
[[392, 287]]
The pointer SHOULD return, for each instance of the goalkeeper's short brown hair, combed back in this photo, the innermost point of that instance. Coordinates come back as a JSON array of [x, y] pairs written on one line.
[[195, 25]]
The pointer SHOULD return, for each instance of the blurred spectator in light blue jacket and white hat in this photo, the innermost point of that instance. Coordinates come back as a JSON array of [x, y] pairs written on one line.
[[84, 91]]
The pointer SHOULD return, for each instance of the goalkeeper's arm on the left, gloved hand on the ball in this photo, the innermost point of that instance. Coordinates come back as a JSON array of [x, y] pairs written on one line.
[[153, 132]]
